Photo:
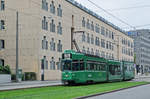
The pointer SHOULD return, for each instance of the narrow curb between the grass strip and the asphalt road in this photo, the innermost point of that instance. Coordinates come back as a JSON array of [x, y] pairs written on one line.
[[83, 97]]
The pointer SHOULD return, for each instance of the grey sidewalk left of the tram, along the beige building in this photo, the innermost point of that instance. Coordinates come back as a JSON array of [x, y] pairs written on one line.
[[28, 84]]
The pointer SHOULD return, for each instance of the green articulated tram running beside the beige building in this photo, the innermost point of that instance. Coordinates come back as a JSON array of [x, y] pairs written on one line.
[[78, 68]]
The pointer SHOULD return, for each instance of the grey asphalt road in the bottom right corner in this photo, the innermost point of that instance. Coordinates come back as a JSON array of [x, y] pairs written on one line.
[[141, 92]]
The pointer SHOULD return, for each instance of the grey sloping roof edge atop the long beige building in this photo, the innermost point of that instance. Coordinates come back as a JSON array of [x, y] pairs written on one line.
[[73, 2]]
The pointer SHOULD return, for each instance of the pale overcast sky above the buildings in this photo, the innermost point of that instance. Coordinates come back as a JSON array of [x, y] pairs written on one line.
[[133, 16]]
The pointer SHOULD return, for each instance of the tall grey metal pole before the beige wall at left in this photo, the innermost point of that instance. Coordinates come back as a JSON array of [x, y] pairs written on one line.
[[17, 57]]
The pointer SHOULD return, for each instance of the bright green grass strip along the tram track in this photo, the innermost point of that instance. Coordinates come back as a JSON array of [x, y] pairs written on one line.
[[66, 92]]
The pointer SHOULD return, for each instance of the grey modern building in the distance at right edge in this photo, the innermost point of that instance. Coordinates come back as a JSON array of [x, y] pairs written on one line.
[[141, 48]]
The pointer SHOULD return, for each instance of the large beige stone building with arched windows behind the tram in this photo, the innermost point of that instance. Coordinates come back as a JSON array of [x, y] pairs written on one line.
[[45, 32]]
